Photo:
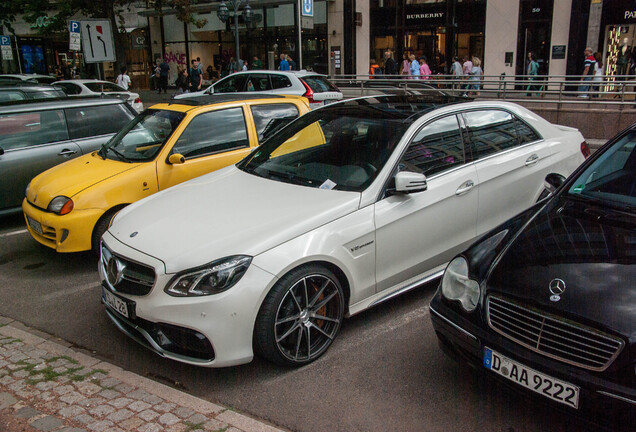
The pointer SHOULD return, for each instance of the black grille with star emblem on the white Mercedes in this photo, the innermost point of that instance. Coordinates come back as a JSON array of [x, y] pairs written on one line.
[[136, 279]]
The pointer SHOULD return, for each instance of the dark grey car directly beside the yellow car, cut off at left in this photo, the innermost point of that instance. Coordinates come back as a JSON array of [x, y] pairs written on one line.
[[38, 134]]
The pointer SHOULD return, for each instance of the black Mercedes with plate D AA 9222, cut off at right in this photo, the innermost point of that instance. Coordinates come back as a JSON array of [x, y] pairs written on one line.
[[547, 301]]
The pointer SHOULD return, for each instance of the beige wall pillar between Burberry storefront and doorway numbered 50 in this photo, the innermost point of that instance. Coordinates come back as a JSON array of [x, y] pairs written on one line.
[[502, 22]]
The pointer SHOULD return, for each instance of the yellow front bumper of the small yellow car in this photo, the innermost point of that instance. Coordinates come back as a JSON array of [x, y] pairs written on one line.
[[68, 233]]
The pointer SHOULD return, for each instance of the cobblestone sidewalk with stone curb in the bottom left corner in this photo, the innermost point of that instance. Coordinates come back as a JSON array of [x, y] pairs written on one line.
[[46, 386]]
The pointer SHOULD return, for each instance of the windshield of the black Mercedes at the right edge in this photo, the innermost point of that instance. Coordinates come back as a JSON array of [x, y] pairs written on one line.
[[612, 177]]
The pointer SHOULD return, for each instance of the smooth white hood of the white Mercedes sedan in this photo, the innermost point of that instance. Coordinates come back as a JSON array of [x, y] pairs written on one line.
[[227, 212]]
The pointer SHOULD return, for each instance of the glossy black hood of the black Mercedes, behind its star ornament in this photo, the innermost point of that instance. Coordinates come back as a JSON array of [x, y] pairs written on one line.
[[589, 248]]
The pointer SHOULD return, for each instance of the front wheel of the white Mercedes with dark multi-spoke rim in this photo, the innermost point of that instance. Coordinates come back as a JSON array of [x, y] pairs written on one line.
[[300, 317]]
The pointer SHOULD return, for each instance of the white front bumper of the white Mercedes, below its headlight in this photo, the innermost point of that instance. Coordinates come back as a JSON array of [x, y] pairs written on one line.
[[222, 323]]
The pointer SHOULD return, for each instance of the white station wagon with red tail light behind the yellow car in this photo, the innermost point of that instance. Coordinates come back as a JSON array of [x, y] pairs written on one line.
[[315, 87]]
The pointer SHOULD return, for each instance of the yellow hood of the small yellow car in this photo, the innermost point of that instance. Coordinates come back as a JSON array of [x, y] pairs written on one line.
[[72, 177]]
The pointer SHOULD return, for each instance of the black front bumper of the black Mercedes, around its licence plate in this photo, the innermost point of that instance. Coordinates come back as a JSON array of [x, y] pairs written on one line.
[[463, 340]]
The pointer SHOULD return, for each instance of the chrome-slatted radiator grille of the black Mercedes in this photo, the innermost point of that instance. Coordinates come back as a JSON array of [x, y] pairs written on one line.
[[540, 328]]
